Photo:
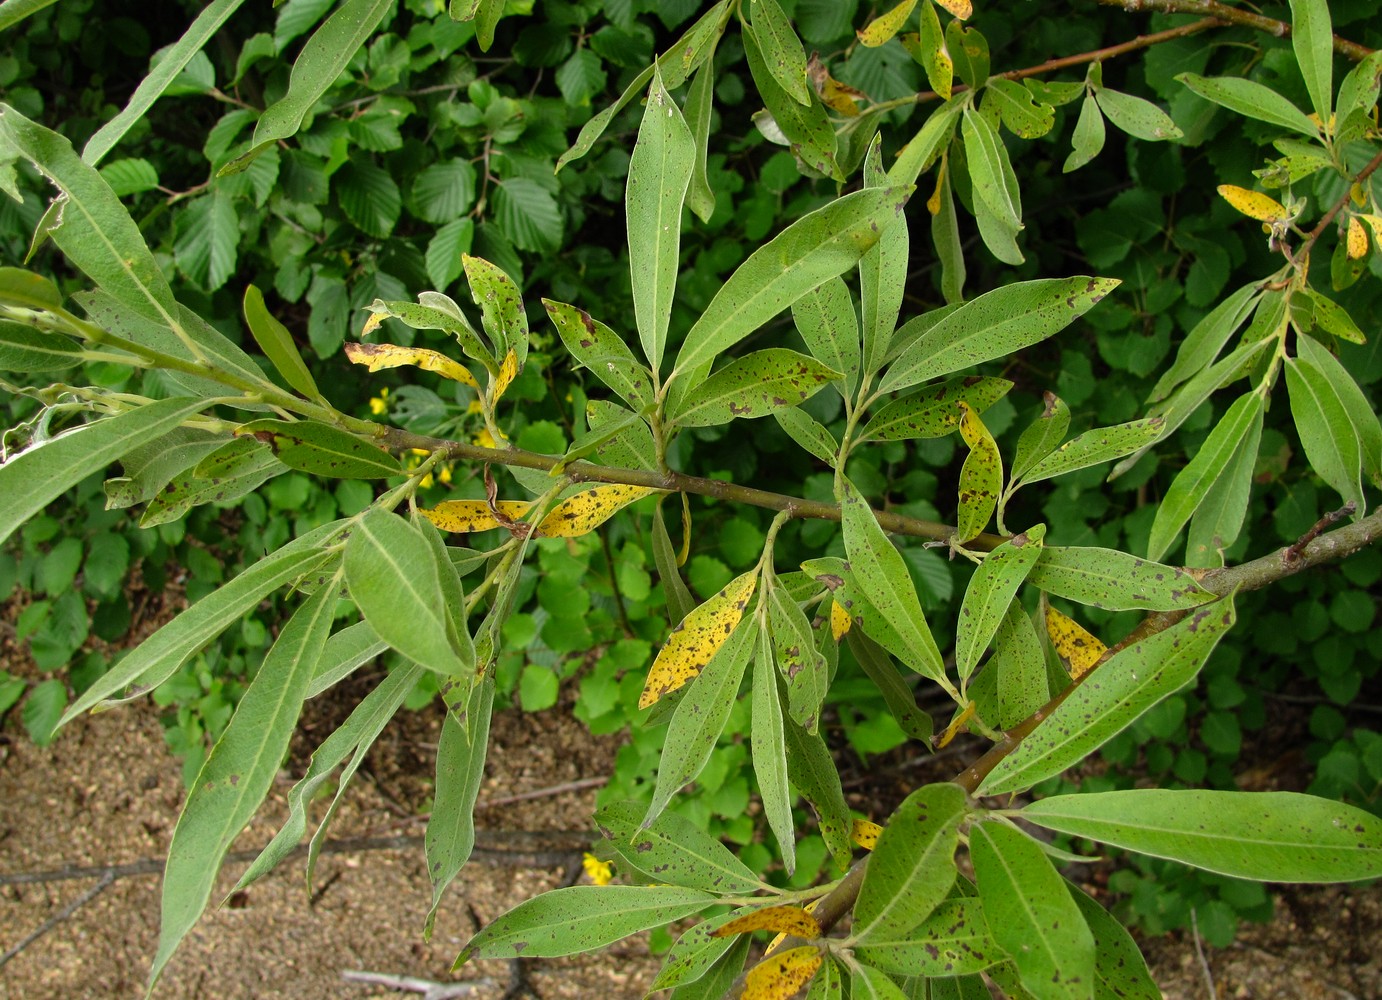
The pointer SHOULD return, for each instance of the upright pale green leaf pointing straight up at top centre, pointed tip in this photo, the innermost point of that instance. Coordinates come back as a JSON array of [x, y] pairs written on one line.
[[660, 172]]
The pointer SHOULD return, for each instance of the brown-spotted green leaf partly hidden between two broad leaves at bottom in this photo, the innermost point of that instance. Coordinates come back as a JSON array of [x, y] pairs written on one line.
[[953, 941]]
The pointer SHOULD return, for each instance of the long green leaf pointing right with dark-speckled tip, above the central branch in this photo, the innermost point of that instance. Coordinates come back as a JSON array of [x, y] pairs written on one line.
[[994, 325]]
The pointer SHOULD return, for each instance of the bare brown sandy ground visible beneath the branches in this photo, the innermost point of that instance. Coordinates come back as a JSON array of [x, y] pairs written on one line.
[[107, 794]]
